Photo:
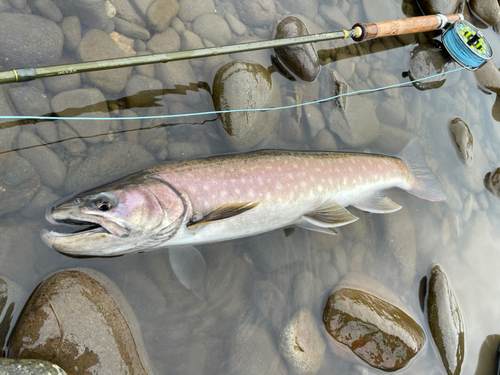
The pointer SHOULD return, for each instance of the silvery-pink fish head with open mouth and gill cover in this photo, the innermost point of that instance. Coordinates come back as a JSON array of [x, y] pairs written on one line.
[[119, 217]]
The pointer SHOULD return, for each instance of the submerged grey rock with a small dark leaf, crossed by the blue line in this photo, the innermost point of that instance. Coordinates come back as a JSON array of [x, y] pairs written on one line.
[[353, 120]]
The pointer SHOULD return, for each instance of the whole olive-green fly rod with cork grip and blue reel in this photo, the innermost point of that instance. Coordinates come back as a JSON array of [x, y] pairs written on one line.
[[466, 44]]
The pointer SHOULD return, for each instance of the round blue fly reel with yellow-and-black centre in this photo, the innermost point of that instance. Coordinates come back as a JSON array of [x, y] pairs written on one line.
[[467, 45]]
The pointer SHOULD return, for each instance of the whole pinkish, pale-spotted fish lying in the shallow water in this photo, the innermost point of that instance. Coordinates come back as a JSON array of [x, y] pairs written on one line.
[[226, 197]]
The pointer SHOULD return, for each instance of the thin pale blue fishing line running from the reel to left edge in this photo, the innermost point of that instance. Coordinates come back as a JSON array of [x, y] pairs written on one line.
[[365, 91]]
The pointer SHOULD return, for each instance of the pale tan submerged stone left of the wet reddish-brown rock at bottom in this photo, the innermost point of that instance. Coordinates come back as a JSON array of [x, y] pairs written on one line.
[[302, 344]]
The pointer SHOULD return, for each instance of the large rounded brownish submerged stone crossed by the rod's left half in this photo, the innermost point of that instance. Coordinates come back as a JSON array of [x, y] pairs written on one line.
[[98, 45]]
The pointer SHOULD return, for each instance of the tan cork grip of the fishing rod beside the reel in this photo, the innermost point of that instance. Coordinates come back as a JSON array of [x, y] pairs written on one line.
[[403, 26]]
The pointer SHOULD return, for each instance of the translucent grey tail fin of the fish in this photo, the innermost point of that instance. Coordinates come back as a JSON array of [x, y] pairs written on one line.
[[426, 185]]
